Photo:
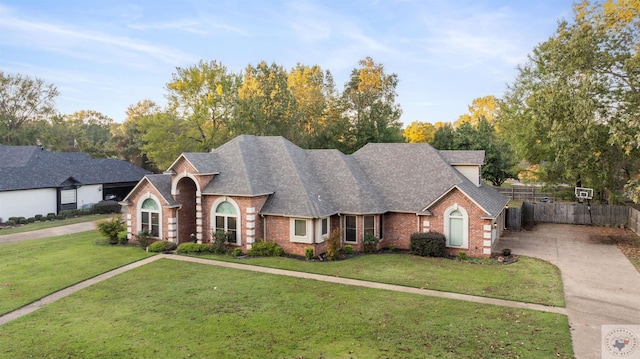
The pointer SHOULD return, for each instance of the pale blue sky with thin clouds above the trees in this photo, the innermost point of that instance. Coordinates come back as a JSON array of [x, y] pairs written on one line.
[[108, 55]]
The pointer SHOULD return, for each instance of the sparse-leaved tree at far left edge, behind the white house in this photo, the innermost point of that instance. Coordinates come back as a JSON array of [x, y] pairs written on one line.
[[23, 102]]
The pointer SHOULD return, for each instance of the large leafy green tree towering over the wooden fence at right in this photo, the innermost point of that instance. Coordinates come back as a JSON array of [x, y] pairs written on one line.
[[573, 108]]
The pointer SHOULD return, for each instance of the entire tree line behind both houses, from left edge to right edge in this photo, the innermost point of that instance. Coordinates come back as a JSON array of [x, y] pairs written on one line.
[[569, 117]]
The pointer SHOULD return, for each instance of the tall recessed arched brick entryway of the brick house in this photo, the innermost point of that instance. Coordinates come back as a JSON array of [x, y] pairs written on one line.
[[186, 196]]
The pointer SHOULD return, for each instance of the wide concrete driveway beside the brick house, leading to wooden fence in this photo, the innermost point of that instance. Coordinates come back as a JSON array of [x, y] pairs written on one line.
[[600, 285]]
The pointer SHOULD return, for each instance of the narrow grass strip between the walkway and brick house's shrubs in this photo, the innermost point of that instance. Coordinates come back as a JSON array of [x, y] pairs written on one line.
[[528, 280]]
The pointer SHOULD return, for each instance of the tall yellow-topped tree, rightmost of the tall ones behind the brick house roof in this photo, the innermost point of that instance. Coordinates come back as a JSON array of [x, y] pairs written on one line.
[[370, 96]]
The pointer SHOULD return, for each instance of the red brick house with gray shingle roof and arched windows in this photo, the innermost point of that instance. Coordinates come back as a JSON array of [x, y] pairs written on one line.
[[267, 187]]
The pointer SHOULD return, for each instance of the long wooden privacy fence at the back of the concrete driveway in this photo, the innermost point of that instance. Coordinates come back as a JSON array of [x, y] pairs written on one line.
[[567, 213]]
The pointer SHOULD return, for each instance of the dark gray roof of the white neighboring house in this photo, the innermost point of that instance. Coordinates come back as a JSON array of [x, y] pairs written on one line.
[[30, 167]]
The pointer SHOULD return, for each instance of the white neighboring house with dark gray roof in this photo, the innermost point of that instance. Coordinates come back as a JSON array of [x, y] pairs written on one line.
[[35, 181]]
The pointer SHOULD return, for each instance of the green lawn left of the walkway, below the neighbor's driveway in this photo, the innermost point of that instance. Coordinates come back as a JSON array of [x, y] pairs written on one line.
[[33, 269]]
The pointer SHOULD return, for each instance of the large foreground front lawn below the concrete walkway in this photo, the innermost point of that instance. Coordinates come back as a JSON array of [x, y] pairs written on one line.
[[173, 309]]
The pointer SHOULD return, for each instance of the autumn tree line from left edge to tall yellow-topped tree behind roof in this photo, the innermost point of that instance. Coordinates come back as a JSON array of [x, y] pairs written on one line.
[[207, 106]]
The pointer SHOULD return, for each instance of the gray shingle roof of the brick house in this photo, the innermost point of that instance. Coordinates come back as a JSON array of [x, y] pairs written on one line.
[[378, 178]]
